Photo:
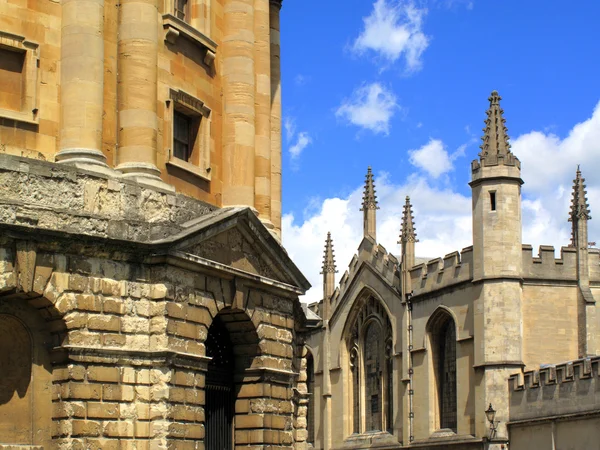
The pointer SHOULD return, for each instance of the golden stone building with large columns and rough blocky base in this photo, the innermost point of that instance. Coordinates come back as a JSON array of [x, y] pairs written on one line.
[[145, 299]]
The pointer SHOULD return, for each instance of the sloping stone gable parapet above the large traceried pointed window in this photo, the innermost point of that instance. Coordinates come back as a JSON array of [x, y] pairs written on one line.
[[383, 262]]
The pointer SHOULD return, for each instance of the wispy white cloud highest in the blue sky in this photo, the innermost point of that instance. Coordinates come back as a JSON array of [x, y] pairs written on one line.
[[394, 30]]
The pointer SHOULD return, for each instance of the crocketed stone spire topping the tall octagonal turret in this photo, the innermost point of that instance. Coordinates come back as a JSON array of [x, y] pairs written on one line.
[[495, 148]]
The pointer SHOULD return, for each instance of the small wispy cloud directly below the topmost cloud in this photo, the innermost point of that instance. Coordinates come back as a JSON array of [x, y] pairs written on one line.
[[371, 106]]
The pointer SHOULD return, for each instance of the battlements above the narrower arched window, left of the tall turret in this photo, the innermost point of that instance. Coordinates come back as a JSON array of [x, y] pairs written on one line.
[[439, 273]]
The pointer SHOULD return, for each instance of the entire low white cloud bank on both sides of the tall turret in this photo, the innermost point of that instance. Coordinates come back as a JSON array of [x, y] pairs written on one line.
[[443, 216]]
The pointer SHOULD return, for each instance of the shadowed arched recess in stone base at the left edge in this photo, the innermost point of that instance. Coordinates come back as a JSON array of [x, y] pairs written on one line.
[[25, 376]]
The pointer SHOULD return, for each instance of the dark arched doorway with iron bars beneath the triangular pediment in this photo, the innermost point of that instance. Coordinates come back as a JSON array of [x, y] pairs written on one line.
[[220, 394]]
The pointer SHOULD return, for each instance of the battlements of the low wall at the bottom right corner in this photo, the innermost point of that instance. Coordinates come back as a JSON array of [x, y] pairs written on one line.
[[566, 388]]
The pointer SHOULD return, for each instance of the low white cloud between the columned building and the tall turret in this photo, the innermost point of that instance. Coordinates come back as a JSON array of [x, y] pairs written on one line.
[[443, 222]]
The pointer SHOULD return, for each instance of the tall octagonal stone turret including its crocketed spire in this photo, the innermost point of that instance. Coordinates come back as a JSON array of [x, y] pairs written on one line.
[[497, 263]]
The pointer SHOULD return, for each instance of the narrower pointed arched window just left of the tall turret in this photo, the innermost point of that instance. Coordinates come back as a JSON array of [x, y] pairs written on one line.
[[443, 340]]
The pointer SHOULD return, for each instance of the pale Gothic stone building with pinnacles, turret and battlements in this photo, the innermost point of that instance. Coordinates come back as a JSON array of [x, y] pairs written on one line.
[[414, 353]]
